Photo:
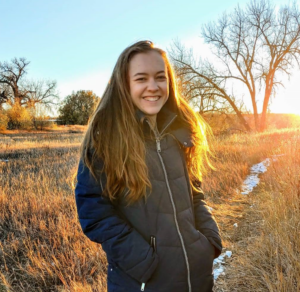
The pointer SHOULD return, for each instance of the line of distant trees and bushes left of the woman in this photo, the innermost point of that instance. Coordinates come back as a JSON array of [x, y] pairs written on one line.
[[26, 104]]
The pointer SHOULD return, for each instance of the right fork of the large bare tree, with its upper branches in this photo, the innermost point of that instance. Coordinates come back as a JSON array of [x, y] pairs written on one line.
[[279, 41]]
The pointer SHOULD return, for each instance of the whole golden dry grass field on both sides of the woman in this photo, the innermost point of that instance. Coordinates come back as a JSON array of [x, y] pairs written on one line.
[[42, 247]]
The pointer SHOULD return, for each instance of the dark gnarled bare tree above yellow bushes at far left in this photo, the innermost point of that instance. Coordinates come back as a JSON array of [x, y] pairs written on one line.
[[15, 89]]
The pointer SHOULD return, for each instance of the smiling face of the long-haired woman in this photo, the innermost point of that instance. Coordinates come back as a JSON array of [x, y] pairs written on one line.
[[149, 83]]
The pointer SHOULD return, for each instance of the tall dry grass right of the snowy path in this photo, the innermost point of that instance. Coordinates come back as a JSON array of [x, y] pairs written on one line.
[[270, 260]]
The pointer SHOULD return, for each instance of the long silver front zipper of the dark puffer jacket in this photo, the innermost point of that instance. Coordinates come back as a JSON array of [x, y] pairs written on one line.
[[158, 148]]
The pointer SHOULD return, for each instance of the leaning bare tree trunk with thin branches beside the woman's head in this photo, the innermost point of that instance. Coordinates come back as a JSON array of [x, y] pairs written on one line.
[[199, 84]]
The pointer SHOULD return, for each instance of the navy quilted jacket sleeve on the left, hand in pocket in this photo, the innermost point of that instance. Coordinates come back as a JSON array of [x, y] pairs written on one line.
[[101, 223]]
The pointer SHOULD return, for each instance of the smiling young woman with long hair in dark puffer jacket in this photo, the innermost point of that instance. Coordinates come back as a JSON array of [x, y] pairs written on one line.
[[138, 191]]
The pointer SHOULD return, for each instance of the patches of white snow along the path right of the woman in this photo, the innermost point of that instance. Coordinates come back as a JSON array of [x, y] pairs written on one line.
[[251, 181]]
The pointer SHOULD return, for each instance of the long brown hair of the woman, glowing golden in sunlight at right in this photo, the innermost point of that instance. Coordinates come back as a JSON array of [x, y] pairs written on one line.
[[115, 135]]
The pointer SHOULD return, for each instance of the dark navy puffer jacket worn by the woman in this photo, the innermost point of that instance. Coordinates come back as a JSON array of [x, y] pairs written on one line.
[[166, 243]]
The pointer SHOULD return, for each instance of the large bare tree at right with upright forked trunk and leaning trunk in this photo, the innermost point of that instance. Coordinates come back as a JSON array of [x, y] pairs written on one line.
[[255, 47]]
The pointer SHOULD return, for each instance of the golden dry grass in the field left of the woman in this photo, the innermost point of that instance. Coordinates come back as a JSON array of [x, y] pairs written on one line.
[[41, 243]]
